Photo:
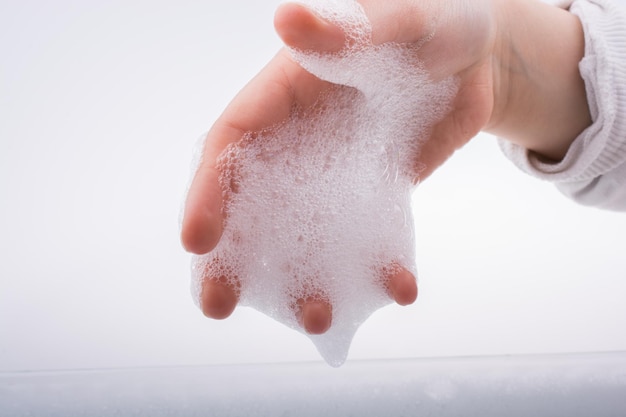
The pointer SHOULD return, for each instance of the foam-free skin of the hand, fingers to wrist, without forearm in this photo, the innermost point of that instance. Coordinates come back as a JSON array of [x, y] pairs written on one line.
[[282, 82]]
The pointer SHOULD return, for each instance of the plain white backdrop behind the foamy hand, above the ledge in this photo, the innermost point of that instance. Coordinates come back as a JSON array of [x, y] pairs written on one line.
[[100, 105]]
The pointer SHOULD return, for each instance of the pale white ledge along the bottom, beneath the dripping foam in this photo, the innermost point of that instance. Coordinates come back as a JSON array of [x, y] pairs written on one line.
[[560, 385]]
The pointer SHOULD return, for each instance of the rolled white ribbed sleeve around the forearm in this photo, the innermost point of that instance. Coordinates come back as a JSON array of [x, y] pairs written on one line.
[[593, 172]]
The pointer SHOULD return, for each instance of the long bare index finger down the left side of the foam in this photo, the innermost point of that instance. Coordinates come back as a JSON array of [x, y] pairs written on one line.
[[267, 100]]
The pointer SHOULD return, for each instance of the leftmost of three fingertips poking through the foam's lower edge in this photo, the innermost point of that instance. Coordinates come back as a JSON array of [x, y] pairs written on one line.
[[218, 298]]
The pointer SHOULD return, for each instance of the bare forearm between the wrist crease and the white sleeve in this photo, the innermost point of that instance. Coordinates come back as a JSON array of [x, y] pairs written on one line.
[[540, 101]]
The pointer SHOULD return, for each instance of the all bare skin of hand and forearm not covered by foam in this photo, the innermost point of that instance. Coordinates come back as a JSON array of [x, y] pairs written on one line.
[[517, 66]]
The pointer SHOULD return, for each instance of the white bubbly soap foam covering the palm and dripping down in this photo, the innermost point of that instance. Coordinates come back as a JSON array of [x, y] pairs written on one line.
[[319, 206]]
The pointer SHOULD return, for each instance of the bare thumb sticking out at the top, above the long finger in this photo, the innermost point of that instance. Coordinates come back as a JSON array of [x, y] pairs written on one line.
[[301, 28]]
